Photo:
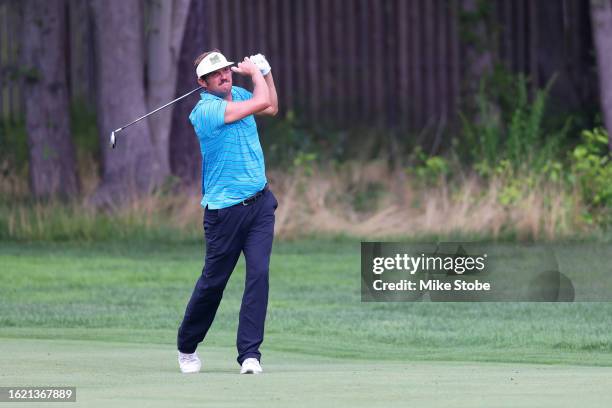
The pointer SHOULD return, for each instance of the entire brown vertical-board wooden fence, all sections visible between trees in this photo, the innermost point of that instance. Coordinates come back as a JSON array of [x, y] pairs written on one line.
[[344, 62]]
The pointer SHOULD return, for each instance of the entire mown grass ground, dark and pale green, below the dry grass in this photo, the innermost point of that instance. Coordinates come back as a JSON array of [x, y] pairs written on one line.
[[103, 317]]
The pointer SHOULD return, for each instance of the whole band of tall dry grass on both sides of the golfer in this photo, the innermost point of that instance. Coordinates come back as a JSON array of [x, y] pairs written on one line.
[[364, 200]]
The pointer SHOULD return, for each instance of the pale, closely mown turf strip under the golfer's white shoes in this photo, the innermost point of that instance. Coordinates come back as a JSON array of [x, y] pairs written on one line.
[[123, 374]]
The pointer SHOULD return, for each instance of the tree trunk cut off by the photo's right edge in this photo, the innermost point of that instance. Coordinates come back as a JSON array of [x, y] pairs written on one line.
[[601, 15]]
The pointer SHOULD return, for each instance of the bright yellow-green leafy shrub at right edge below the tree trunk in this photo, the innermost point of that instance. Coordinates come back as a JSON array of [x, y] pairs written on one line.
[[593, 171]]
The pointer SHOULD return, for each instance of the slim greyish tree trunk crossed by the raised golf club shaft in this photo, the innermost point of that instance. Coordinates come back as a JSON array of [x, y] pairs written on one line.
[[167, 25]]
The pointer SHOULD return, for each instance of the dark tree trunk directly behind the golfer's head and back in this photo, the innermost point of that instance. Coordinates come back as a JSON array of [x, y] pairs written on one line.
[[185, 158]]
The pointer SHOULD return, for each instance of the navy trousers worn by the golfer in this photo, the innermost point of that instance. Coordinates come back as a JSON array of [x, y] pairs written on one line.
[[230, 231]]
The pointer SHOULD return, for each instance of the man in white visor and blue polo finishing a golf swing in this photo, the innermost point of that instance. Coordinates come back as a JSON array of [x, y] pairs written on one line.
[[238, 206]]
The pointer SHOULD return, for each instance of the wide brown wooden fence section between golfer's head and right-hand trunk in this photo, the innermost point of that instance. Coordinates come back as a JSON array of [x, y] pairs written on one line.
[[349, 61]]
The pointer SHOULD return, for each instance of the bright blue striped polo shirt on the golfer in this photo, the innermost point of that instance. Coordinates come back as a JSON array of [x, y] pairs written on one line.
[[233, 167]]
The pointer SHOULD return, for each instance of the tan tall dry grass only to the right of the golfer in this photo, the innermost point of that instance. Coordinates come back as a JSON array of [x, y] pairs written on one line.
[[469, 206]]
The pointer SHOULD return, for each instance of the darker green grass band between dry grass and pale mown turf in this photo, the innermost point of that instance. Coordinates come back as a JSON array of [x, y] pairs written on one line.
[[137, 293]]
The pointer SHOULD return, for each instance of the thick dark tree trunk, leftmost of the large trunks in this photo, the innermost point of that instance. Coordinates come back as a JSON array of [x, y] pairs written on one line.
[[52, 157]]
